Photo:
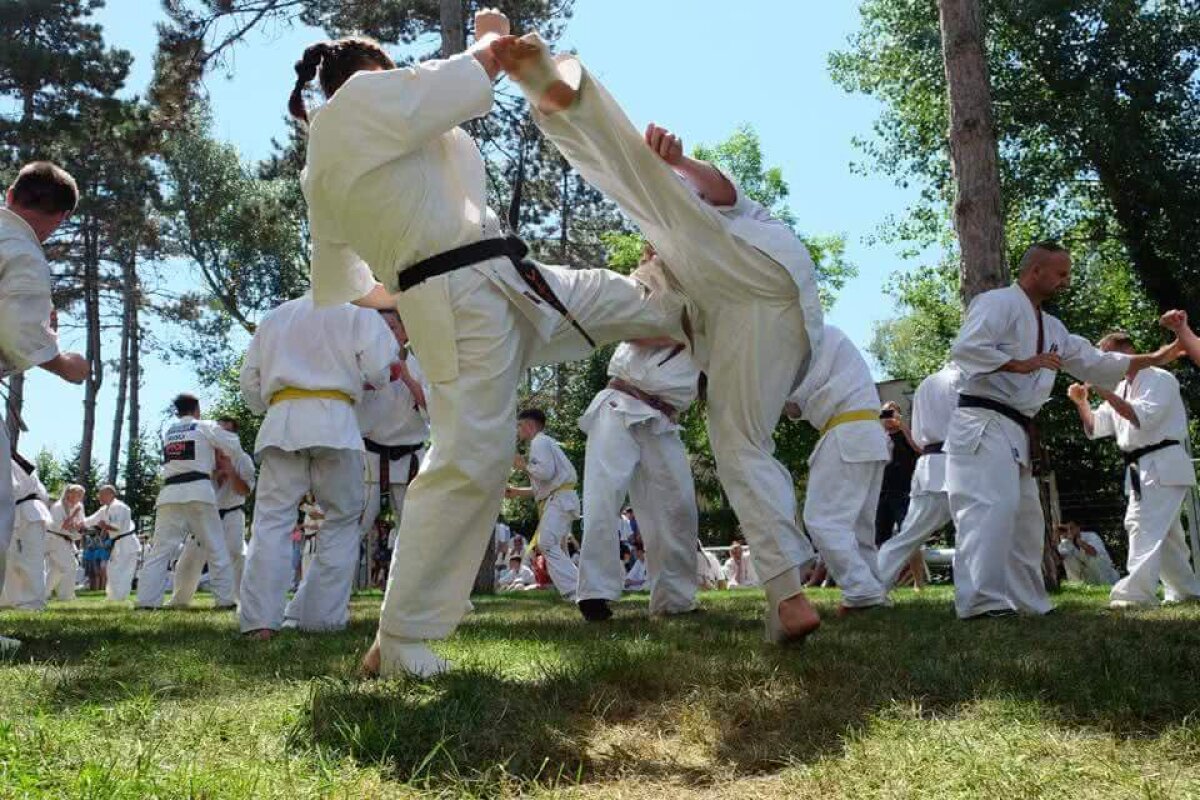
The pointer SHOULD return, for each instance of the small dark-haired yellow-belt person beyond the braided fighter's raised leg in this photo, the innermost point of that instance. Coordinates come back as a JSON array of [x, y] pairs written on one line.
[[554, 480]]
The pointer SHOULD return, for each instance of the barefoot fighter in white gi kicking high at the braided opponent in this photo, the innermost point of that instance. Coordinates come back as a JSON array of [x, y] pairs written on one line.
[[751, 279]]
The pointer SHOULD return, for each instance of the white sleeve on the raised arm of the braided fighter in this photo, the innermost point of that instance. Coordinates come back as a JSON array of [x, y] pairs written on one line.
[[413, 106]]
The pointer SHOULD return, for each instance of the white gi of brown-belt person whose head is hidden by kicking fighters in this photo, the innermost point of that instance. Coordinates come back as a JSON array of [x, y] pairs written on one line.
[[635, 449]]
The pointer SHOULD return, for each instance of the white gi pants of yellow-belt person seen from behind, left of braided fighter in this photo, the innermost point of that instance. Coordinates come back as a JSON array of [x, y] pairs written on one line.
[[323, 600]]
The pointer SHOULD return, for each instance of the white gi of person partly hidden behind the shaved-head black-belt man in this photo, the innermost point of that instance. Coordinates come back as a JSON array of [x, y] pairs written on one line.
[[929, 508]]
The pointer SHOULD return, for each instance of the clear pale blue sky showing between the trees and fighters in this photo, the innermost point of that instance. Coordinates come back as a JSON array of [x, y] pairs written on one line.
[[701, 69]]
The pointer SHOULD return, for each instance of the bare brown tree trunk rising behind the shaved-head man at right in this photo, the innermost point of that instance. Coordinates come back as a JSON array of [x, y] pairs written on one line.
[[979, 213]]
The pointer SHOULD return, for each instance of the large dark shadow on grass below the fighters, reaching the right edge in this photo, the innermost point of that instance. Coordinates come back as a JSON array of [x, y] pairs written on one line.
[[700, 697]]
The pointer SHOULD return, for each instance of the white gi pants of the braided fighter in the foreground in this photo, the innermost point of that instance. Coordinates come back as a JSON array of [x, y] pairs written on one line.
[[452, 506]]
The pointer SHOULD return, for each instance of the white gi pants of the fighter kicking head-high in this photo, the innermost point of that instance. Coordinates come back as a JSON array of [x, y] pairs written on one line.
[[752, 334]]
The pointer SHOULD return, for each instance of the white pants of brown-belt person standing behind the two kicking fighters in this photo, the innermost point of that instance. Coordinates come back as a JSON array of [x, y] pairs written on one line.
[[653, 470]]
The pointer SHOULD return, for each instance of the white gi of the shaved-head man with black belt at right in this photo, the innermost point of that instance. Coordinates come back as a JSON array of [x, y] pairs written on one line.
[[994, 496]]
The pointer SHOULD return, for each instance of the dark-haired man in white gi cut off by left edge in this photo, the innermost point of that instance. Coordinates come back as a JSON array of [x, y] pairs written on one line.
[[37, 204]]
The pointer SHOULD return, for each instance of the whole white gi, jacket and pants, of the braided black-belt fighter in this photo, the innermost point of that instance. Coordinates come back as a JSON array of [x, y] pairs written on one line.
[[392, 181]]
